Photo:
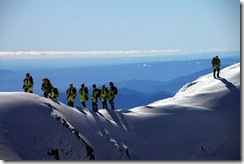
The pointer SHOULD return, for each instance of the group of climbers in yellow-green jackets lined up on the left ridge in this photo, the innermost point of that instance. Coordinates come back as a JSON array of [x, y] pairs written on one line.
[[52, 92]]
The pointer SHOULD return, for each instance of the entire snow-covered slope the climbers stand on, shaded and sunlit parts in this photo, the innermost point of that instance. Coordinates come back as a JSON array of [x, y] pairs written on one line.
[[201, 122]]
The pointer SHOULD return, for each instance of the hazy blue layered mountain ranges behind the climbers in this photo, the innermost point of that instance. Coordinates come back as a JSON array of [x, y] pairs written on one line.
[[138, 83]]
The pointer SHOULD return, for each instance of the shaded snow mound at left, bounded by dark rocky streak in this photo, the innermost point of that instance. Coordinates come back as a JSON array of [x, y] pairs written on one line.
[[30, 129]]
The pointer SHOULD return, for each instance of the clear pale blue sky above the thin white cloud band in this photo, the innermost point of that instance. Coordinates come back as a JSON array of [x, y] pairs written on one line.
[[110, 25]]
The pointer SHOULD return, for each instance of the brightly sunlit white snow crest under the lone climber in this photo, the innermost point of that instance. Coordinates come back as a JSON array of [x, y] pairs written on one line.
[[205, 87]]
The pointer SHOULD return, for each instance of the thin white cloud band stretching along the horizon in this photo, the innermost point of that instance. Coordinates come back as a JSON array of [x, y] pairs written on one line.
[[105, 53]]
